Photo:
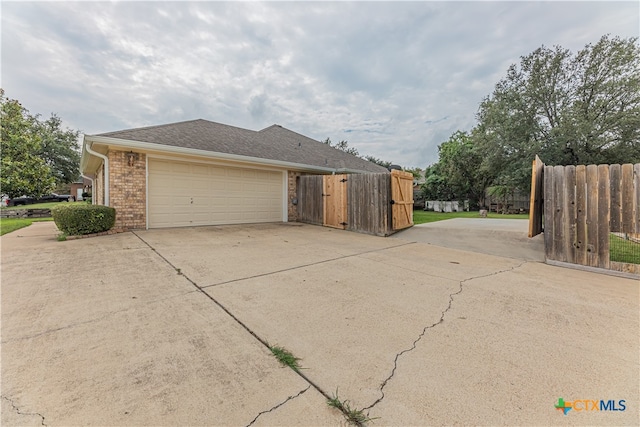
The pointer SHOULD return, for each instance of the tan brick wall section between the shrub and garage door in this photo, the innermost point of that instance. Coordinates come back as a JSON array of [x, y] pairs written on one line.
[[127, 189]]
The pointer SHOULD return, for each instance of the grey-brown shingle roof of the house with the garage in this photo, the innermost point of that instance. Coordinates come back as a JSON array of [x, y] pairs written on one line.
[[272, 143]]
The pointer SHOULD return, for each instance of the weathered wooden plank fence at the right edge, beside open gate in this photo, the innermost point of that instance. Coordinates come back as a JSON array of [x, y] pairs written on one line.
[[583, 206]]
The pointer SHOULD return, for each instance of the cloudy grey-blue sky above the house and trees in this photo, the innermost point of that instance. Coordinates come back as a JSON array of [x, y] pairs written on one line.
[[394, 79]]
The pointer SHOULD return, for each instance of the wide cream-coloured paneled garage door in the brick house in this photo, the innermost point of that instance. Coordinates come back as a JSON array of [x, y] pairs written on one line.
[[188, 194]]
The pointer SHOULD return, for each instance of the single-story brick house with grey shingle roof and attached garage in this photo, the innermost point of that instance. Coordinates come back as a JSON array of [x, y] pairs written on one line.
[[205, 173]]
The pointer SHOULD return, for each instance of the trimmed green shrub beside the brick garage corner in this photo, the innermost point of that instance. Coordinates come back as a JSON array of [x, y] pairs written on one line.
[[75, 219]]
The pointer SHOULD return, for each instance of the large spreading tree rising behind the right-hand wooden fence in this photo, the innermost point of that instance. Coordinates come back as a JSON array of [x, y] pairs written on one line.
[[569, 109]]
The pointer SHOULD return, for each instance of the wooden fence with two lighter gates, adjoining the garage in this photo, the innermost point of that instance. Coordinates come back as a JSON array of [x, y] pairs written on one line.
[[379, 204]]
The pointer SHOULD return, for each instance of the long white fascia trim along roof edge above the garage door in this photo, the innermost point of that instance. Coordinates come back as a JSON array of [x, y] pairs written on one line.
[[213, 154]]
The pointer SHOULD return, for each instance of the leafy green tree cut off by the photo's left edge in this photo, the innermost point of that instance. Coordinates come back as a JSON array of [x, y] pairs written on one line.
[[23, 172]]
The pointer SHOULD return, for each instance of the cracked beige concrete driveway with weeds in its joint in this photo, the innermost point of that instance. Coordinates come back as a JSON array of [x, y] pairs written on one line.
[[168, 327]]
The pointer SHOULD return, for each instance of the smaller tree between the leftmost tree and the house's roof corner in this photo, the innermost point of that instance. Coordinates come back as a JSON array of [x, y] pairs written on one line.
[[60, 150]]
